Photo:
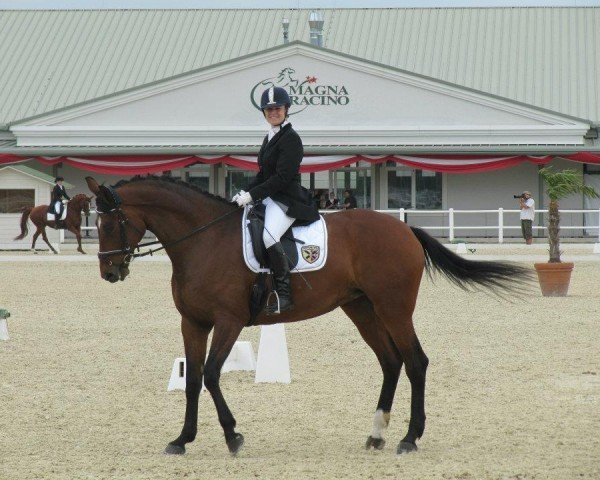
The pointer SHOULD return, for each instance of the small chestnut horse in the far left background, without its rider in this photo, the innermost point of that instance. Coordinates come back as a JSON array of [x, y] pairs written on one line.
[[79, 203]]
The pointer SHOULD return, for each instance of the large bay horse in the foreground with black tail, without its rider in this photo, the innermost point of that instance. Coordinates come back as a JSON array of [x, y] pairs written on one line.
[[373, 273]]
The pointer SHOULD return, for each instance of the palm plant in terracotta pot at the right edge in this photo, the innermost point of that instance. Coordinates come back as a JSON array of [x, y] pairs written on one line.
[[554, 276]]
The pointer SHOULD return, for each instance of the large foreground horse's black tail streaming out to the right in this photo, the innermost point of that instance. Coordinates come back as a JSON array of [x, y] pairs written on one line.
[[499, 277]]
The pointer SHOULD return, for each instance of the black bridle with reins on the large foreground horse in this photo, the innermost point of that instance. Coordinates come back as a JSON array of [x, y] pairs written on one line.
[[128, 250]]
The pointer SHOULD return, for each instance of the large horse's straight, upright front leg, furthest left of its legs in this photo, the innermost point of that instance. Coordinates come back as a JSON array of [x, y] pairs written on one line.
[[194, 340]]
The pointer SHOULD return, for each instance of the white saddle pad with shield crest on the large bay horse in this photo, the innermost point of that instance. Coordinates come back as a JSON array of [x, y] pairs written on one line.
[[312, 254]]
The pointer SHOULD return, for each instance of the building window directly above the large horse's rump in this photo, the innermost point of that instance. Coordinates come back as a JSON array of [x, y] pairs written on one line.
[[409, 188]]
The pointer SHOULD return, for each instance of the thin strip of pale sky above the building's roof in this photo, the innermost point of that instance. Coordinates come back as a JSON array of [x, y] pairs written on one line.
[[280, 4]]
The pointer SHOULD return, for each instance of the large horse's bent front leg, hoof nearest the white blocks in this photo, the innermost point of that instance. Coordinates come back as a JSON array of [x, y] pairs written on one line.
[[227, 330]]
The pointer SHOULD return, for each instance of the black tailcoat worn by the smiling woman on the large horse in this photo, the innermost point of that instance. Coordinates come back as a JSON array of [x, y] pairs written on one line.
[[279, 175]]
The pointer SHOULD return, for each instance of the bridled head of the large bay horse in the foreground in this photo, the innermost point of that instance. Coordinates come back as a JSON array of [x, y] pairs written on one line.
[[120, 229]]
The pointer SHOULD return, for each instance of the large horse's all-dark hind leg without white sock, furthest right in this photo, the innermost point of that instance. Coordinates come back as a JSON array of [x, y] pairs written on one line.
[[397, 318]]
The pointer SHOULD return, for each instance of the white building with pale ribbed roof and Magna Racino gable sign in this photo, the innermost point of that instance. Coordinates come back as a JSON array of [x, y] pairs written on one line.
[[412, 108]]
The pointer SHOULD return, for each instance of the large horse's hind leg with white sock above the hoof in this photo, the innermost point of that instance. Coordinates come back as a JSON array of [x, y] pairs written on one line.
[[374, 333]]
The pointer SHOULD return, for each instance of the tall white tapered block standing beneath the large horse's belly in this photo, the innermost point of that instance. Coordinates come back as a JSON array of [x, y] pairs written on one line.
[[273, 364]]
